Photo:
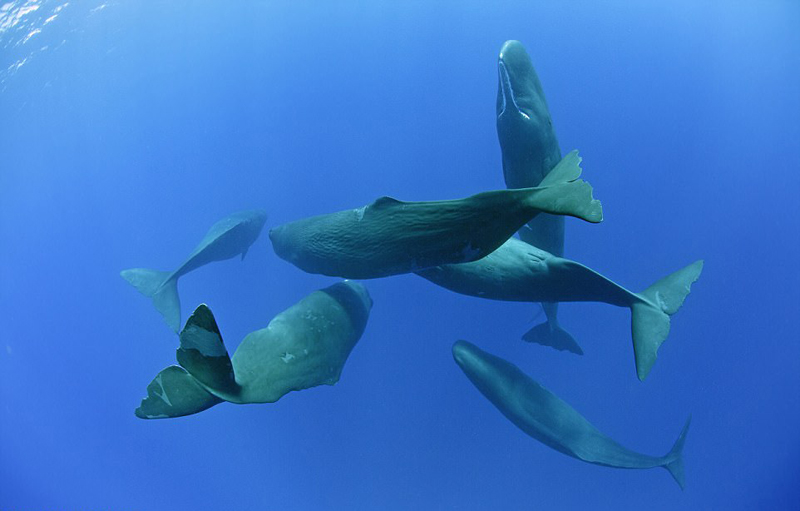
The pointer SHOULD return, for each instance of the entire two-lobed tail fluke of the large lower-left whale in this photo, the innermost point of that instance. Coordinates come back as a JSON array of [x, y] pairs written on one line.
[[203, 379]]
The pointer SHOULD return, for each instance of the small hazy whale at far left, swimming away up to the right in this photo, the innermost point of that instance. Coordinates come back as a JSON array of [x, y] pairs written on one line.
[[227, 238]]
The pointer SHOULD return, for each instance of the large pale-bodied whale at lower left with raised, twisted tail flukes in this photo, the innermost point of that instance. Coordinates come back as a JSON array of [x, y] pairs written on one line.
[[304, 346]]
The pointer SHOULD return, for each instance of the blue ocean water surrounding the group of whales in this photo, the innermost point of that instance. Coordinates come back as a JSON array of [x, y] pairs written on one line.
[[128, 128]]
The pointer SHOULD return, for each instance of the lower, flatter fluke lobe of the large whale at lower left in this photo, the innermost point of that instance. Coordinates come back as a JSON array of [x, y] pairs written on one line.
[[174, 393]]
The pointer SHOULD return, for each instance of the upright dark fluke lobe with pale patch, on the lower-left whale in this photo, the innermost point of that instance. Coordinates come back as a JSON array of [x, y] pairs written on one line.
[[202, 353]]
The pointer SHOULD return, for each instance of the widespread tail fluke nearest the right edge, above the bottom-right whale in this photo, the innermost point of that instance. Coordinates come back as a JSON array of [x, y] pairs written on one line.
[[650, 317]]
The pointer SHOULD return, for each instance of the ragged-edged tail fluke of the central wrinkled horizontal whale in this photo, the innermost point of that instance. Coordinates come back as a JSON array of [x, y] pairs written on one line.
[[562, 193]]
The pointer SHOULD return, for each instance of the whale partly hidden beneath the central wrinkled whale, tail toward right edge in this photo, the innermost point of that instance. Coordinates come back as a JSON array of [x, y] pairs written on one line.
[[520, 272]]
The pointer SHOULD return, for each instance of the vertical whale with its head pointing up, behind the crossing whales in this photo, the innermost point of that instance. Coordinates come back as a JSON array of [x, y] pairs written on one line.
[[530, 150]]
